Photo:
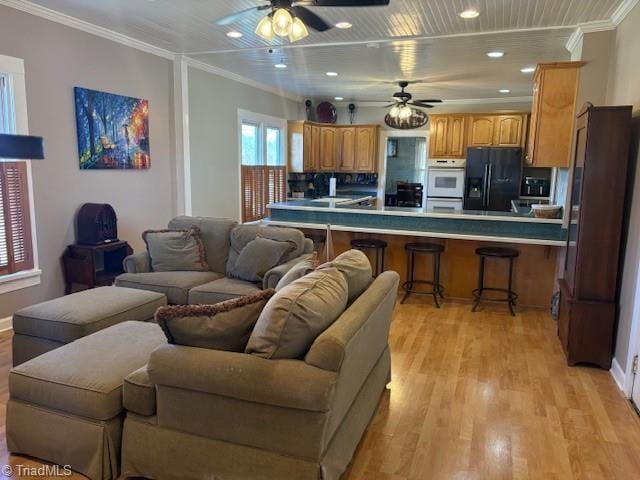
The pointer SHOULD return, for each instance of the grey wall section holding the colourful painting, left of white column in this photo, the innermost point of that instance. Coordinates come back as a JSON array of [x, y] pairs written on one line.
[[58, 58]]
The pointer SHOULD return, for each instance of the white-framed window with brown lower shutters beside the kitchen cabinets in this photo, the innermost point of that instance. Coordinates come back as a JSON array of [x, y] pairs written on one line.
[[263, 165]]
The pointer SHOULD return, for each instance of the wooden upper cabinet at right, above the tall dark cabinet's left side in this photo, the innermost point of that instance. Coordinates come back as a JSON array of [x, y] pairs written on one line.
[[553, 114]]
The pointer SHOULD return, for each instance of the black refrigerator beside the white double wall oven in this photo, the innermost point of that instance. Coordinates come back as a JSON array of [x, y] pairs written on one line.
[[492, 178]]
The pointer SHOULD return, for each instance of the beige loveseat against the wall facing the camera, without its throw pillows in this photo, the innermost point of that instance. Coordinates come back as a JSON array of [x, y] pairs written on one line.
[[223, 239]]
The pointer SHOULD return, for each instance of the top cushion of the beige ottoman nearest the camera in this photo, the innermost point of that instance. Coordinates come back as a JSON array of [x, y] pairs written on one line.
[[85, 377]]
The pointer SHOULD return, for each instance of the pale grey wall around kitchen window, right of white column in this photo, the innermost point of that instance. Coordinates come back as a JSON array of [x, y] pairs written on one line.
[[213, 133]]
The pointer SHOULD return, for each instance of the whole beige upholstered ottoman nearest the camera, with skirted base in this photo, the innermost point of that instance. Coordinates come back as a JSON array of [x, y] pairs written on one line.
[[65, 406]]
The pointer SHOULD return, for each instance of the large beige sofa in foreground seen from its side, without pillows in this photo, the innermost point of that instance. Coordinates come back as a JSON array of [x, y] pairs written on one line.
[[197, 413]]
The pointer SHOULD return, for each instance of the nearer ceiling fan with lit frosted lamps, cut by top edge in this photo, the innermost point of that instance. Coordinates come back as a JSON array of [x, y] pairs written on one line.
[[289, 18]]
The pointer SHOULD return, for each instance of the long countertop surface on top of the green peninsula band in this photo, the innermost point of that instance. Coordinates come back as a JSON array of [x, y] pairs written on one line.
[[320, 206]]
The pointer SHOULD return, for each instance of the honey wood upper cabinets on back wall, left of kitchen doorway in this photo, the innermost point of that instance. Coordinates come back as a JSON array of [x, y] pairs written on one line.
[[337, 148]]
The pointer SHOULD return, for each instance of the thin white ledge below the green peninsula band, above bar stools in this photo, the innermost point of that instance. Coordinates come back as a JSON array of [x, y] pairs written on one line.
[[416, 233]]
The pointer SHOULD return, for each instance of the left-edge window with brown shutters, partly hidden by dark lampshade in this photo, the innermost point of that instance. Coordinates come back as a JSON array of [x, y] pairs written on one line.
[[16, 242]]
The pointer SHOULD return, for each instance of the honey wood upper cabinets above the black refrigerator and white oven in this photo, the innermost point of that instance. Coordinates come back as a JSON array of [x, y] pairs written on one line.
[[450, 135]]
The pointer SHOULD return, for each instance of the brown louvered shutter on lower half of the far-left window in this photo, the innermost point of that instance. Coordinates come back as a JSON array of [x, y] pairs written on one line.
[[15, 225]]
